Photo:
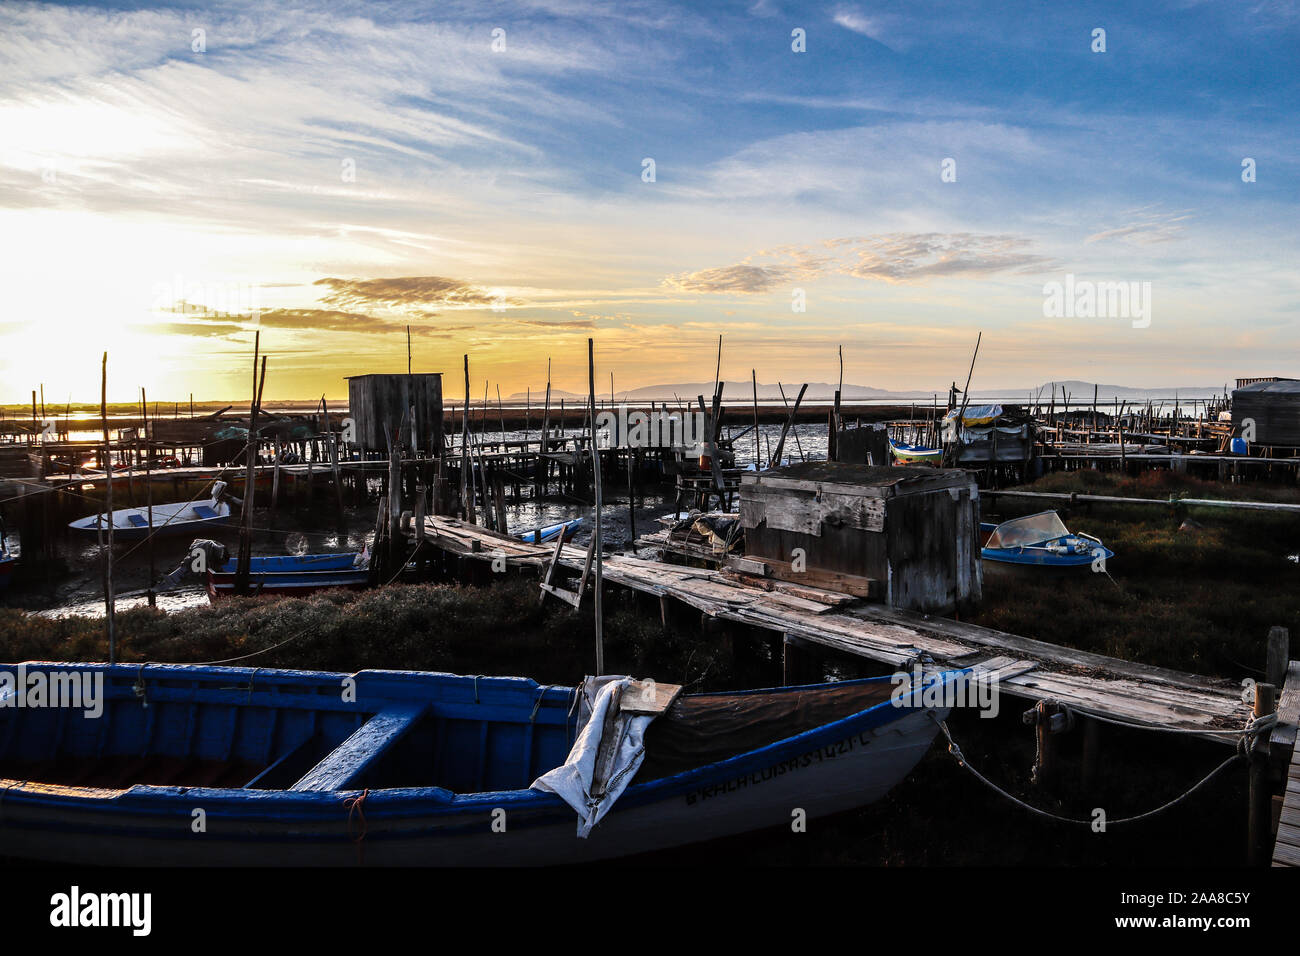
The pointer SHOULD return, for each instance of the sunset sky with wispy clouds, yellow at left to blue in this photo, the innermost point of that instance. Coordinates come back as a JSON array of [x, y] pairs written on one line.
[[512, 179]]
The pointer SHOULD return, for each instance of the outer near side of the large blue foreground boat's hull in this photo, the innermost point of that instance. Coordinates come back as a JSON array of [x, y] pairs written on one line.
[[840, 776]]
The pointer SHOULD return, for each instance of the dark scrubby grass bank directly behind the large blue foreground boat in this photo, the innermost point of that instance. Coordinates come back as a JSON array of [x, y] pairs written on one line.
[[414, 628]]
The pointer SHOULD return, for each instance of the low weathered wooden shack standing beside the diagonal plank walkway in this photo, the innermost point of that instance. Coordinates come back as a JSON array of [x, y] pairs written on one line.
[[908, 537]]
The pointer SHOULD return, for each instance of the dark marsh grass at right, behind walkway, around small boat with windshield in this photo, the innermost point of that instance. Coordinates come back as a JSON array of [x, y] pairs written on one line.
[[1189, 589]]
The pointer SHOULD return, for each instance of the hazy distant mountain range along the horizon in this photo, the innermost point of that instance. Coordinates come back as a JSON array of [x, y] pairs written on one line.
[[1077, 391]]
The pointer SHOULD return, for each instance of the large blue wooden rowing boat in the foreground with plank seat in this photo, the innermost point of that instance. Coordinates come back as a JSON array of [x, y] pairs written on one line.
[[405, 768]]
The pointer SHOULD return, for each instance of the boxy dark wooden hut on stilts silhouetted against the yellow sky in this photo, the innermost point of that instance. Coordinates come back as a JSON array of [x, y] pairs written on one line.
[[380, 405]]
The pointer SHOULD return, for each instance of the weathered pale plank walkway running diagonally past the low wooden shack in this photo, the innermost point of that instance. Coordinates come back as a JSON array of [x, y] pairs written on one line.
[[1147, 697]]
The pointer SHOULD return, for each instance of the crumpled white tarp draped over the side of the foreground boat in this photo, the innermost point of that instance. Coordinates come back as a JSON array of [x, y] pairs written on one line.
[[575, 782]]
